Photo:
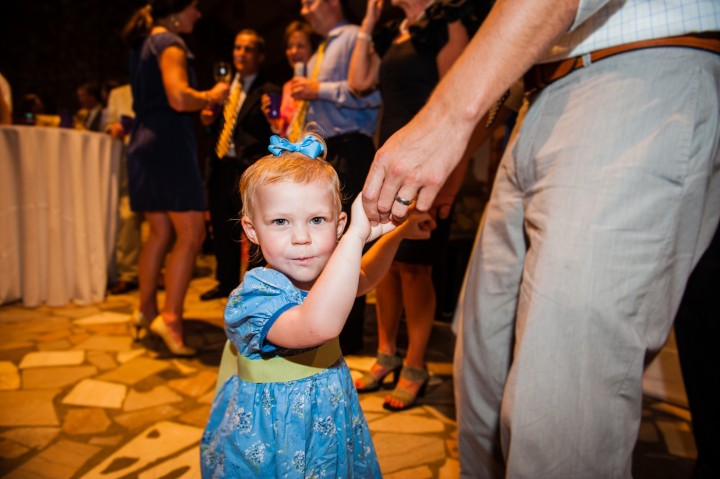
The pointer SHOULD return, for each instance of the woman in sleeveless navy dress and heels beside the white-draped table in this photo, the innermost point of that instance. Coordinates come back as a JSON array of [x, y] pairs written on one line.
[[163, 172]]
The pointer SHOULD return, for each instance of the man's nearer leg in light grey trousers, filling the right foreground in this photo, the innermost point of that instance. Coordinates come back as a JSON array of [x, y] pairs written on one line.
[[619, 167]]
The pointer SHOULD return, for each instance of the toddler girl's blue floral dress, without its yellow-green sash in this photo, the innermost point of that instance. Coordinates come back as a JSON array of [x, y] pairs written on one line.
[[307, 428]]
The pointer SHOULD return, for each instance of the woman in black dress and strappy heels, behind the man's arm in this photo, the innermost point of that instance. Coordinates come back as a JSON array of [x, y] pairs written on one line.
[[405, 59]]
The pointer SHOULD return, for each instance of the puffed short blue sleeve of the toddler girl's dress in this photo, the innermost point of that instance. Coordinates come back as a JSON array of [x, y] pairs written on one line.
[[253, 308]]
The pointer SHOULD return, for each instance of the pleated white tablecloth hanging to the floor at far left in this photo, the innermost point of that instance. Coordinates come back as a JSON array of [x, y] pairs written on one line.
[[58, 213]]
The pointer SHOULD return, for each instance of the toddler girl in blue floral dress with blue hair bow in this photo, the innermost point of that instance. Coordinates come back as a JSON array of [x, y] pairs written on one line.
[[291, 409]]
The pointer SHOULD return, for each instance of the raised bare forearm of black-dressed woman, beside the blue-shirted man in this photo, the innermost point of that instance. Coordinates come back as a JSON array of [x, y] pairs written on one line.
[[365, 62]]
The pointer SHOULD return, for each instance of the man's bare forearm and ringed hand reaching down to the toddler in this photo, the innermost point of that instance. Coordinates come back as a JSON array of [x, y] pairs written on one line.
[[417, 160]]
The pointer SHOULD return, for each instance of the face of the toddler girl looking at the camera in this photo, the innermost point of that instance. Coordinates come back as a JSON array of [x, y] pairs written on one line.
[[297, 227]]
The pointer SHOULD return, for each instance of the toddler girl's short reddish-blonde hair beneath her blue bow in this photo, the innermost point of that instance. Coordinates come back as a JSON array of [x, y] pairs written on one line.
[[290, 166]]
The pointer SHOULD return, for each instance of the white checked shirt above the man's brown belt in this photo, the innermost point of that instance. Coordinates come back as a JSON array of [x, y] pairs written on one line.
[[605, 23]]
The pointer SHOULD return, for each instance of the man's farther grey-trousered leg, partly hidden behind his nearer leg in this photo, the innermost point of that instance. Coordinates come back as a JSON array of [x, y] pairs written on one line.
[[484, 321]]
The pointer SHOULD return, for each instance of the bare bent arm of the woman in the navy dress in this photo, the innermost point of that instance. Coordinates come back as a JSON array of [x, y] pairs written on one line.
[[173, 66]]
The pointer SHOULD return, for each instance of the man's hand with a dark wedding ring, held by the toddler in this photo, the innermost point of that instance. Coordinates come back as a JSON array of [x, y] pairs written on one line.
[[413, 164]]
